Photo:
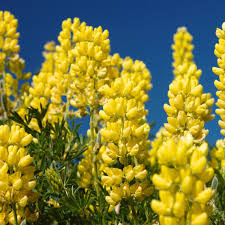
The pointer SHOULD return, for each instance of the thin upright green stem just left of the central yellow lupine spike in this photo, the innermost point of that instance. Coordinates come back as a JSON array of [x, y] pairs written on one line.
[[94, 150]]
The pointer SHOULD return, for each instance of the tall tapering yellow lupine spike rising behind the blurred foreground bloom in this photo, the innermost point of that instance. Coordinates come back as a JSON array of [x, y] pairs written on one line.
[[189, 108]]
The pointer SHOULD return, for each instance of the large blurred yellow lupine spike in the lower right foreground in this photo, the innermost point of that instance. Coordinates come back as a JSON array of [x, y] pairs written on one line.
[[181, 183]]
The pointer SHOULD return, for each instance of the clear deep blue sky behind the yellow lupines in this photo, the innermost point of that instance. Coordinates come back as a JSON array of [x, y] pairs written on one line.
[[140, 29]]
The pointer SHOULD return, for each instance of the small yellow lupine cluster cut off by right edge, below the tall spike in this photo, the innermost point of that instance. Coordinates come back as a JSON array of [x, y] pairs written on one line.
[[218, 155]]
